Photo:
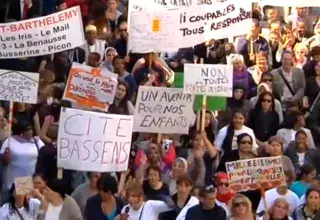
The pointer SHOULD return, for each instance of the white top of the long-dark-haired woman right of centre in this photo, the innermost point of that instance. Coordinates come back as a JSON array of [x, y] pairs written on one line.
[[223, 133]]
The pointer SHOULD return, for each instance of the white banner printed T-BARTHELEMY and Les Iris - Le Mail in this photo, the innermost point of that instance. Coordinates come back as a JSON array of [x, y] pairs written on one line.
[[40, 36]]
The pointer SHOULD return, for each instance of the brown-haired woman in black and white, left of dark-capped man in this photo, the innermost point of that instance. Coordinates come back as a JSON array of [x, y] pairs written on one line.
[[182, 200]]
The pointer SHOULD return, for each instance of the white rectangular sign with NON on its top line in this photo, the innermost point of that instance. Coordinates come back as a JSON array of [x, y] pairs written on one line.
[[208, 79]]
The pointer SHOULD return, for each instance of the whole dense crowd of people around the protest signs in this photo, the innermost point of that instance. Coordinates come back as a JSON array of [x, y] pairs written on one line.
[[274, 111]]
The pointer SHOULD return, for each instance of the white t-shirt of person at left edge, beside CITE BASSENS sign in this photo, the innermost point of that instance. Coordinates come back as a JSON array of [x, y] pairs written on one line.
[[23, 159]]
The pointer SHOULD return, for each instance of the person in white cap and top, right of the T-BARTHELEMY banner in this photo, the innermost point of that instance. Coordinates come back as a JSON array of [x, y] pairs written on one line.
[[93, 44]]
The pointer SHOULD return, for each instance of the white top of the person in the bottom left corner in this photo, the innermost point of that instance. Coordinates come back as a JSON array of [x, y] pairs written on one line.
[[6, 213]]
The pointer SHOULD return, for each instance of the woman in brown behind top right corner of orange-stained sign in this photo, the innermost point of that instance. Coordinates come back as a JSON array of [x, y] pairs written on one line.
[[275, 149]]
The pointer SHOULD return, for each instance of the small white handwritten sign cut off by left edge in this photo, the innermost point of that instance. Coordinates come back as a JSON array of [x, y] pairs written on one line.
[[19, 86]]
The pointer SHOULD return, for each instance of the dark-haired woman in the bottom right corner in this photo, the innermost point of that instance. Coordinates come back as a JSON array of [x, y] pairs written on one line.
[[310, 209]]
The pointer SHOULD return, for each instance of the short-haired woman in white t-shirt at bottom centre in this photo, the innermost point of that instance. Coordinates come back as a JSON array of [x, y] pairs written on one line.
[[137, 209]]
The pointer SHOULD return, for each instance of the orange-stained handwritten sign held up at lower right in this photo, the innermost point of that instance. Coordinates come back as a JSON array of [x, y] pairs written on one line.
[[255, 173]]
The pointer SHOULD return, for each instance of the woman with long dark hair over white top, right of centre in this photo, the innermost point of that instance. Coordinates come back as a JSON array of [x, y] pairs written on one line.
[[226, 140]]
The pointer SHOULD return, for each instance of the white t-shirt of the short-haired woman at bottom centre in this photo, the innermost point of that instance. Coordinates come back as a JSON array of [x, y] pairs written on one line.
[[151, 210]]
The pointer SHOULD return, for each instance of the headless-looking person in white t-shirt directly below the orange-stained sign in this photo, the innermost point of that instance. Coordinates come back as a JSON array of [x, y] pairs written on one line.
[[280, 192]]
